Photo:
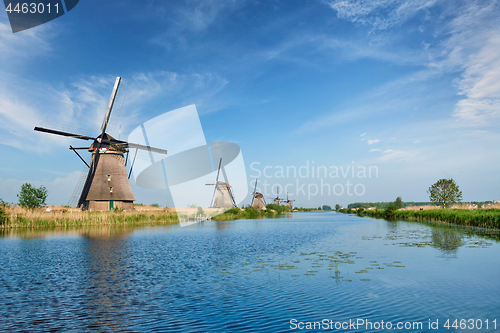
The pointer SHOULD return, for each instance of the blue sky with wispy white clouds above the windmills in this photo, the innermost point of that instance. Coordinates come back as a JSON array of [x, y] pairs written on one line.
[[409, 87]]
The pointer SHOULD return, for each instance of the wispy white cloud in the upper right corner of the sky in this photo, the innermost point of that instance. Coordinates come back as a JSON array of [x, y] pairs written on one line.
[[466, 40]]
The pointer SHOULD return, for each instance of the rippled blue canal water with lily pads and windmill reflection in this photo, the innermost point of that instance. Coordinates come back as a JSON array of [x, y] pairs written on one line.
[[248, 276]]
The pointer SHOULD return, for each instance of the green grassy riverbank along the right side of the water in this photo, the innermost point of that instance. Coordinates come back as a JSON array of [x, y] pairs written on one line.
[[484, 218]]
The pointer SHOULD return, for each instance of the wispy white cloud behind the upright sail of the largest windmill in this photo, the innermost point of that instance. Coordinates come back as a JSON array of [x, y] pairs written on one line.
[[79, 107]]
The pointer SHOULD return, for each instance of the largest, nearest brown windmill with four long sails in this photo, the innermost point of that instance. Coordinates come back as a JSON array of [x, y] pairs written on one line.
[[107, 184]]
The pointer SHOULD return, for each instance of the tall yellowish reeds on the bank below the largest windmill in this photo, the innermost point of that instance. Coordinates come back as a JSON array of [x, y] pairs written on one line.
[[18, 217]]
